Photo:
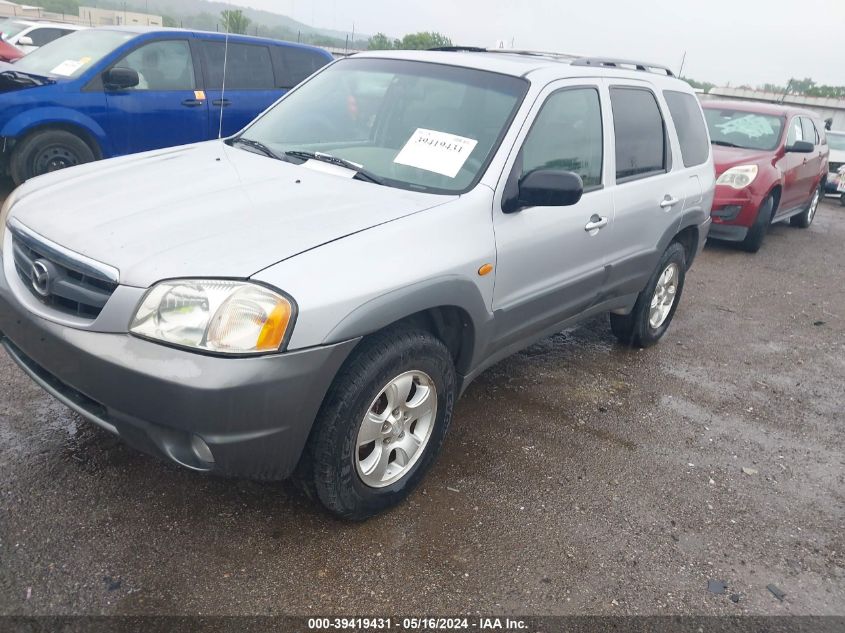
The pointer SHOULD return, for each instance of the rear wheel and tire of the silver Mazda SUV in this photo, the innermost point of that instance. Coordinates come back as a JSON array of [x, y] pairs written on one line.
[[636, 329]]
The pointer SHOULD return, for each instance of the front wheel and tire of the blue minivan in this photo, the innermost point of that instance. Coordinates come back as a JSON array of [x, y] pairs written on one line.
[[50, 150]]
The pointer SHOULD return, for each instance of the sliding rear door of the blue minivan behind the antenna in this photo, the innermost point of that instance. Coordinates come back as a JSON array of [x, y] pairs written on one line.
[[250, 83]]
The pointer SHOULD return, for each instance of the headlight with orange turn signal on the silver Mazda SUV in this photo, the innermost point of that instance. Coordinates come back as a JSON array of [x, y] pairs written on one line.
[[228, 317]]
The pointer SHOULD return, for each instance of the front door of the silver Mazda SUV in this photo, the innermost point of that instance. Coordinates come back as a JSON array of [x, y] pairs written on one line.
[[550, 260]]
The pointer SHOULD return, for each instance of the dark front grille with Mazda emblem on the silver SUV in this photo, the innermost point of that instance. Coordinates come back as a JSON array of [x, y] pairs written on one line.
[[69, 288]]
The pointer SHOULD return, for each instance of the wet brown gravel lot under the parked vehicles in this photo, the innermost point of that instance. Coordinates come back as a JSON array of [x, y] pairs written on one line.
[[579, 477]]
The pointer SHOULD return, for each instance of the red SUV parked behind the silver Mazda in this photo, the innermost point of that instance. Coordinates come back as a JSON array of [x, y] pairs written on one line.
[[771, 163]]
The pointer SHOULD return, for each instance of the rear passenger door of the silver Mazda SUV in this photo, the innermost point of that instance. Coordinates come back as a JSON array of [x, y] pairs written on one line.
[[651, 186]]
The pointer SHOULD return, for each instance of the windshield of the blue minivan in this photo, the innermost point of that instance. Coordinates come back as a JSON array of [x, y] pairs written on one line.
[[72, 55]]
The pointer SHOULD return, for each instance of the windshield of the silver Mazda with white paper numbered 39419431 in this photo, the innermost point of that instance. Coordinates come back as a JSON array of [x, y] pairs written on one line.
[[412, 125]]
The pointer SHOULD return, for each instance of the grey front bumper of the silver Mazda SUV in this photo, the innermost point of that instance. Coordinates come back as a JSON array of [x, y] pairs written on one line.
[[254, 414]]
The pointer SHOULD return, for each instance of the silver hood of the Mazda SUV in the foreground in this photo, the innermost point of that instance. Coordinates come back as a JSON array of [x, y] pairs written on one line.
[[206, 210]]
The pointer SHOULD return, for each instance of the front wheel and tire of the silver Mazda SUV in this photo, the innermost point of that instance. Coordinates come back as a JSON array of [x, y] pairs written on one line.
[[334, 466]]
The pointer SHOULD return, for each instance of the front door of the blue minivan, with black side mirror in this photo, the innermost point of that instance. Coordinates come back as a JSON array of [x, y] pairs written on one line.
[[167, 108]]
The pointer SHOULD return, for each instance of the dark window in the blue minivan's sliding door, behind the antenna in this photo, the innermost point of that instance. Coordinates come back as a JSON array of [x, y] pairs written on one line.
[[247, 68]]
